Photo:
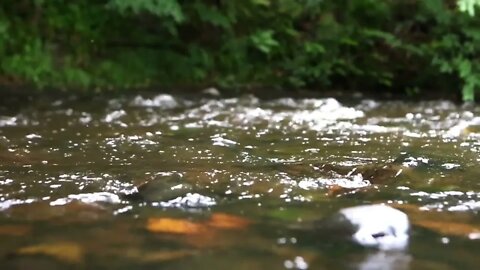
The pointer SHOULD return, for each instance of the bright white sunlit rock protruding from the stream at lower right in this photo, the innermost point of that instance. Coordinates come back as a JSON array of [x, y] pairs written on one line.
[[378, 226]]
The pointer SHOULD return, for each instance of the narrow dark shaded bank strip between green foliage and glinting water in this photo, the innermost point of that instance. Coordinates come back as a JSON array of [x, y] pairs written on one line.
[[8, 94]]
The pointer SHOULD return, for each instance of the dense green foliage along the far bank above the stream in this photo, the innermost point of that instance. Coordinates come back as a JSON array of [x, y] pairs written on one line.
[[316, 44]]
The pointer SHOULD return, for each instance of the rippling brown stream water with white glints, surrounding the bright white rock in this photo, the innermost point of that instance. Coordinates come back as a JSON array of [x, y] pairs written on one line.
[[182, 182]]
